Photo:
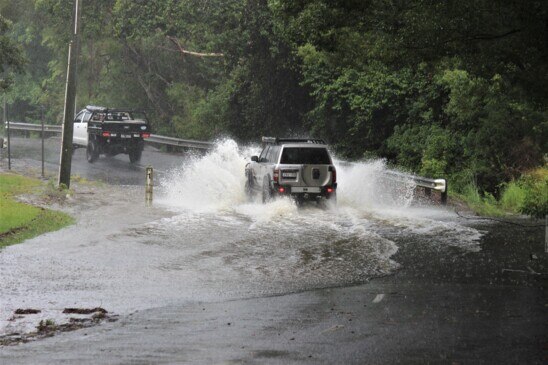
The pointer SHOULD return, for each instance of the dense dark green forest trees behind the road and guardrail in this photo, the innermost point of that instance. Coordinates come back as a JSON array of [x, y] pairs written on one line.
[[442, 88]]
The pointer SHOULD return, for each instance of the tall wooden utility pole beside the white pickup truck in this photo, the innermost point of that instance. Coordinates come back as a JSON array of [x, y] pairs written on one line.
[[70, 97]]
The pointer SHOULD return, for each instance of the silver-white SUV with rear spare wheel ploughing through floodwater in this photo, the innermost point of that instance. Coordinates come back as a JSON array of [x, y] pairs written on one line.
[[300, 168]]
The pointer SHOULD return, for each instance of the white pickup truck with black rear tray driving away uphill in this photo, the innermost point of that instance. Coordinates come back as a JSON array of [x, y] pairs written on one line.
[[110, 131]]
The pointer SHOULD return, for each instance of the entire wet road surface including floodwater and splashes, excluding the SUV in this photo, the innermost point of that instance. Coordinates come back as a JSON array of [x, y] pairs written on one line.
[[205, 276]]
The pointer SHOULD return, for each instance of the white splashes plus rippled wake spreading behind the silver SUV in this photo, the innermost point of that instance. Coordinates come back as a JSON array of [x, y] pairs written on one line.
[[279, 246]]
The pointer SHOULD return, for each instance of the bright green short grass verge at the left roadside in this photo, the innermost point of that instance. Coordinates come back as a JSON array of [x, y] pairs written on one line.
[[20, 221]]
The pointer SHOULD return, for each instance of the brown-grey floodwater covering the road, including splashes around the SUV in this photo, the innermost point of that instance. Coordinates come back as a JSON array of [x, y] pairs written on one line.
[[203, 241]]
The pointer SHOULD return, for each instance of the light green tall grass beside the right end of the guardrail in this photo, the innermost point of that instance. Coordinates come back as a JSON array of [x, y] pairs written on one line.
[[526, 195]]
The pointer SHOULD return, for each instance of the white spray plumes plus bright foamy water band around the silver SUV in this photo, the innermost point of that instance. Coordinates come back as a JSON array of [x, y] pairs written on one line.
[[367, 197]]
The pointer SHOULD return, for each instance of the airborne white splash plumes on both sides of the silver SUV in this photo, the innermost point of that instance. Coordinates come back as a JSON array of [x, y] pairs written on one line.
[[215, 182]]
